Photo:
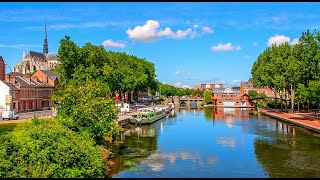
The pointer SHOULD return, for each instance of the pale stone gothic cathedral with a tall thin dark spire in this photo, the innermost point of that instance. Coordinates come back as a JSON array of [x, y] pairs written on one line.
[[36, 60]]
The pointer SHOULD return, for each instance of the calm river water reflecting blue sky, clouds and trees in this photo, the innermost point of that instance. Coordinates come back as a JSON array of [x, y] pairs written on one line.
[[217, 143]]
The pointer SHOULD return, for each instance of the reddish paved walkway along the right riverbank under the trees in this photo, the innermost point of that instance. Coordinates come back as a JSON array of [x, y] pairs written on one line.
[[302, 120]]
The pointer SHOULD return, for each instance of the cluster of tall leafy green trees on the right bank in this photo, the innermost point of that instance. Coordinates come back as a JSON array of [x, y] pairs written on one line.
[[287, 69]]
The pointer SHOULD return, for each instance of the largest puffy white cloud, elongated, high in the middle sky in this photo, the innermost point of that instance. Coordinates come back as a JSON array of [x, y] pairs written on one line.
[[150, 32]]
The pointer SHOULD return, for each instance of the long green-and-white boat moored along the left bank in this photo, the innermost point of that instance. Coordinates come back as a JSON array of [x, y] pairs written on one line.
[[148, 116]]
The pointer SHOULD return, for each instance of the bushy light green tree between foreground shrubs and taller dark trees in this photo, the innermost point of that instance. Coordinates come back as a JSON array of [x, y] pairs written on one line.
[[85, 108]]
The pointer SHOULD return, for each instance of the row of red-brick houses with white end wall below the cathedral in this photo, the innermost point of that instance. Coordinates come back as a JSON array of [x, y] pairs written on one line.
[[28, 92]]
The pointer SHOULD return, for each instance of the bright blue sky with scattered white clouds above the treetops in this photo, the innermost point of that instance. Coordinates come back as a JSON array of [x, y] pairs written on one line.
[[190, 43]]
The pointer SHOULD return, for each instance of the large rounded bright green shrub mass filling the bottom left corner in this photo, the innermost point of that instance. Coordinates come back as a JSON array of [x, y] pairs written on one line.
[[46, 149]]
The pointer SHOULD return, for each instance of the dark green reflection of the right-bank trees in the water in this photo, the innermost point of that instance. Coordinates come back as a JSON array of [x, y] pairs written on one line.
[[284, 154]]
